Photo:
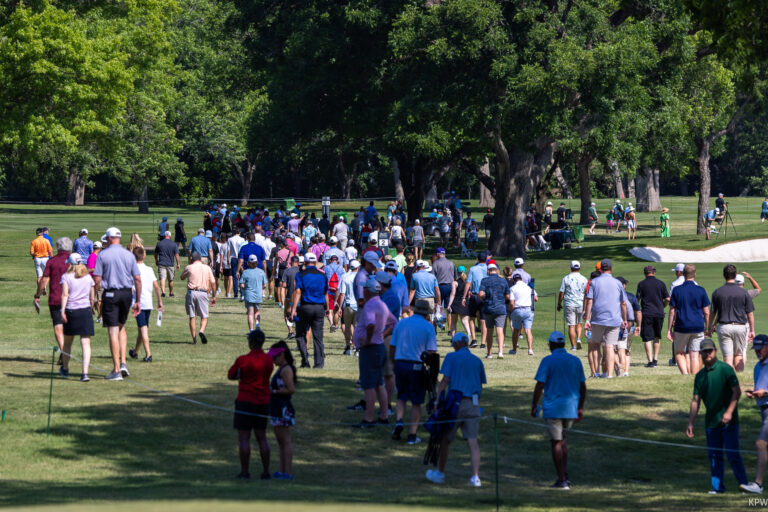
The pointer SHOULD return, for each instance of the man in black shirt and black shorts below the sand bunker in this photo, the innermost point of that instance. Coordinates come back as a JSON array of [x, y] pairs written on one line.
[[653, 296]]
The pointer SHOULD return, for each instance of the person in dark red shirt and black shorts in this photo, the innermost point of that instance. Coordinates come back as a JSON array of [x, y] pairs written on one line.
[[253, 371]]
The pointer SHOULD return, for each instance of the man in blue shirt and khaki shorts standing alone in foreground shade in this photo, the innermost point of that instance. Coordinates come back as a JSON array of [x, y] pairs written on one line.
[[561, 378]]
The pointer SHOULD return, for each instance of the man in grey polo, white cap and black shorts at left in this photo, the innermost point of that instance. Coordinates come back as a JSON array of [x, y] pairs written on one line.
[[117, 272]]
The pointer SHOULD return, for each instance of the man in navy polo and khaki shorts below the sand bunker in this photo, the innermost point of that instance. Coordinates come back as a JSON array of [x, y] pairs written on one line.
[[688, 317]]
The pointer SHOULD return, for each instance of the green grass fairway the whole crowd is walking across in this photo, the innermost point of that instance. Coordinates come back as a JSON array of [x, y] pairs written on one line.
[[123, 445]]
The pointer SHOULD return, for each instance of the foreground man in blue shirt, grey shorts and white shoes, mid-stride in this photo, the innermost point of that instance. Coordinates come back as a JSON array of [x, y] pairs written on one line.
[[464, 373]]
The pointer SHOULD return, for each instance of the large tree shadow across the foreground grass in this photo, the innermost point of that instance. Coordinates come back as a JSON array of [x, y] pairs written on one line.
[[153, 447]]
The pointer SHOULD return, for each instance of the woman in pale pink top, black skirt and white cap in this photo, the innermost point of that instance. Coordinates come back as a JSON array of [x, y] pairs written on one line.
[[77, 299]]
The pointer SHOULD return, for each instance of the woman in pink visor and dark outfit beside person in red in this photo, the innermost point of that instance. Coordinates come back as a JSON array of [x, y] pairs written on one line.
[[281, 411]]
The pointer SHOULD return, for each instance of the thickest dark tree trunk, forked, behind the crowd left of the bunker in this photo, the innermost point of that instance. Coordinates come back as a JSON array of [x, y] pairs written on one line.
[[518, 174]]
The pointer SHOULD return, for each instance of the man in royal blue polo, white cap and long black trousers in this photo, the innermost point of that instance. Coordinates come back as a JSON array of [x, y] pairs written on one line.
[[310, 305]]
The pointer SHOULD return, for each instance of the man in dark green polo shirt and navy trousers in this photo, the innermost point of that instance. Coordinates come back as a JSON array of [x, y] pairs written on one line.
[[718, 386]]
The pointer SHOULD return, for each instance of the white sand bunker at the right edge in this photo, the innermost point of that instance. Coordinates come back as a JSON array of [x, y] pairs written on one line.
[[735, 252]]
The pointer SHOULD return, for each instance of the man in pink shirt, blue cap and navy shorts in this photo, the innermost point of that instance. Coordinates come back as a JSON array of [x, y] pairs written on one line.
[[376, 322]]
